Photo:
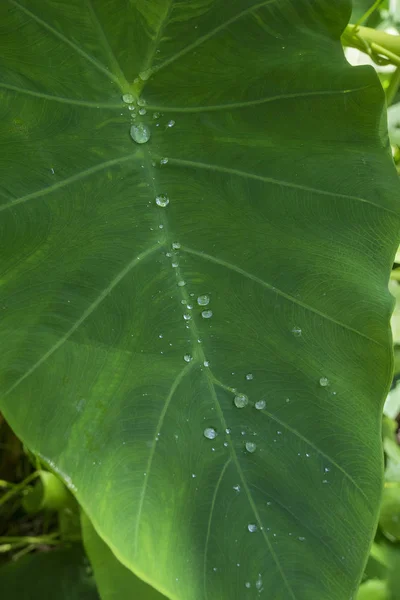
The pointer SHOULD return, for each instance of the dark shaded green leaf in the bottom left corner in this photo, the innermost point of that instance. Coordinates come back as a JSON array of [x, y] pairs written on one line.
[[60, 574]]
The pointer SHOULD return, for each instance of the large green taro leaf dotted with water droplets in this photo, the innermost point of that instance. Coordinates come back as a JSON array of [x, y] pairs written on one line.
[[283, 209]]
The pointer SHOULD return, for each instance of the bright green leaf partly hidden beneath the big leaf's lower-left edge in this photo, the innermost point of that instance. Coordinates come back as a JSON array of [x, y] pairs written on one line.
[[114, 581]]
